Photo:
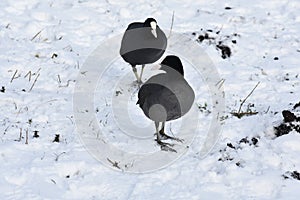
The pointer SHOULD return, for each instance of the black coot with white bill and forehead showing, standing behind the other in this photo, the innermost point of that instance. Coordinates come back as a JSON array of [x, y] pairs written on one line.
[[143, 43]]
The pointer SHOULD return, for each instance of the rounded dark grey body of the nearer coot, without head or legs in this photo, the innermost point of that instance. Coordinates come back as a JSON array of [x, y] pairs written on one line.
[[171, 91]]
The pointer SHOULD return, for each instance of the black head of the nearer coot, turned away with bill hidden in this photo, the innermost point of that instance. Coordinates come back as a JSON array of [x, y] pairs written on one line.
[[171, 63]]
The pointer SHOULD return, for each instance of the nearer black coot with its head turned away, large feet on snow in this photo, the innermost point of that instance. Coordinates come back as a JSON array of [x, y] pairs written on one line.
[[166, 96]]
